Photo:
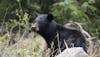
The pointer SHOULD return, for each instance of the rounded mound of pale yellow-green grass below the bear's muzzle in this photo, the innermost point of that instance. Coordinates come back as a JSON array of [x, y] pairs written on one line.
[[28, 47]]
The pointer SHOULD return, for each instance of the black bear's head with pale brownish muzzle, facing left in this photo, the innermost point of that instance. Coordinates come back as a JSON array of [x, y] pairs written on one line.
[[42, 21]]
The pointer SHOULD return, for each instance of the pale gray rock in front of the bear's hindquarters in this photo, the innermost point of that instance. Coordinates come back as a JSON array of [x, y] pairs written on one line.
[[73, 52]]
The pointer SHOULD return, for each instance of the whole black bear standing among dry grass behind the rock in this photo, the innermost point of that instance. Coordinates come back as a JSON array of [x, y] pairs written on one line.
[[53, 32]]
